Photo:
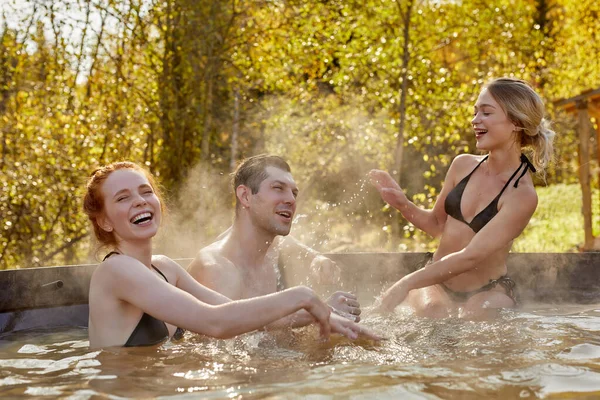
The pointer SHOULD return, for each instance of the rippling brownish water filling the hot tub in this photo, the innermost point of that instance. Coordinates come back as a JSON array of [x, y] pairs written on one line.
[[541, 352]]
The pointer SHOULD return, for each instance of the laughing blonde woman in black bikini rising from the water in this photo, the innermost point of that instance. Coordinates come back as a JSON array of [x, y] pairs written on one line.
[[485, 203]]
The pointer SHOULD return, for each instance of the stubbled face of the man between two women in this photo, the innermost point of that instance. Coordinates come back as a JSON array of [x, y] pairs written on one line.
[[273, 207]]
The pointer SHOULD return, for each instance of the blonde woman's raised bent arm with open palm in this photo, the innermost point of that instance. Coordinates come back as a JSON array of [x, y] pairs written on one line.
[[429, 221]]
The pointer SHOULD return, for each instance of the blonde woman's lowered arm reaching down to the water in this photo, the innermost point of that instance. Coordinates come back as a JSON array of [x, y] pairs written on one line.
[[497, 234]]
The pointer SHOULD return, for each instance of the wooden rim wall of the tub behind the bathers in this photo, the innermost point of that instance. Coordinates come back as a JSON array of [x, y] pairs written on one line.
[[57, 296]]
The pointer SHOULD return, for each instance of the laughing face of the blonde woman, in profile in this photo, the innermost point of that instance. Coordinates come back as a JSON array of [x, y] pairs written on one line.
[[493, 129]]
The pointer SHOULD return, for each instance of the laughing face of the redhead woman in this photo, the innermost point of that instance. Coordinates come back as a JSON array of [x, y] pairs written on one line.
[[131, 208]]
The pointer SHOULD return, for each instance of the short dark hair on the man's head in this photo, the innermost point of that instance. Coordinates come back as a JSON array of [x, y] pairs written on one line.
[[252, 171]]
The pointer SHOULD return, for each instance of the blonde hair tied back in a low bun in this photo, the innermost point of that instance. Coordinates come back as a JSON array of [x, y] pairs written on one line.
[[525, 108]]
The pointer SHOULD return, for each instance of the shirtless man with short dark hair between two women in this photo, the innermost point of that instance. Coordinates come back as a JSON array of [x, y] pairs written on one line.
[[244, 261]]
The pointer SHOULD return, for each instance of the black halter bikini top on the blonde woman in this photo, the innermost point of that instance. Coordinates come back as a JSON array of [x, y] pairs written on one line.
[[453, 200]]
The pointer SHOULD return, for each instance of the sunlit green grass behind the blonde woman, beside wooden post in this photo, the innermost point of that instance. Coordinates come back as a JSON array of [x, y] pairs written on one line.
[[557, 225]]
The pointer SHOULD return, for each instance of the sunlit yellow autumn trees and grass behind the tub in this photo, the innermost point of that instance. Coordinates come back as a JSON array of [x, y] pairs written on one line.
[[189, 88]]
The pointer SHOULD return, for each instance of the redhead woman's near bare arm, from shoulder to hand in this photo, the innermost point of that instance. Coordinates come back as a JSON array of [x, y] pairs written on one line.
[[129, 280]]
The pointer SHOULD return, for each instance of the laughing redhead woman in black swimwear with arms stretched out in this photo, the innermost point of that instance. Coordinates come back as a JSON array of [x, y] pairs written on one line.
[[138, 299]]
